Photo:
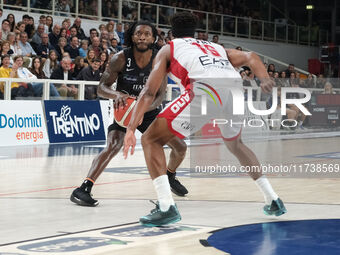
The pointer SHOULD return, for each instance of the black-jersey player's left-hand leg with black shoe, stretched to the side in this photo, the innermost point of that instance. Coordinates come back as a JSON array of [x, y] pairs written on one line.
[[82, 195]]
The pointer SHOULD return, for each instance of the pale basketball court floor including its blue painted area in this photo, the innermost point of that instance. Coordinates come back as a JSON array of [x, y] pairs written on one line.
[[220, 215]]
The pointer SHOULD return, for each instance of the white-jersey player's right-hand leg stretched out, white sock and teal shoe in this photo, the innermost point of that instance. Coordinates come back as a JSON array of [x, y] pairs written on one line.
[[273, 204]]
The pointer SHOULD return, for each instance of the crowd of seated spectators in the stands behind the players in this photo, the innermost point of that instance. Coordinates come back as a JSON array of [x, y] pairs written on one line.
[[43, 49]]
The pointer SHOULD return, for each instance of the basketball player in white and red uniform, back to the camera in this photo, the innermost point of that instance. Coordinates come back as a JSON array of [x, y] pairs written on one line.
[[197, 65]]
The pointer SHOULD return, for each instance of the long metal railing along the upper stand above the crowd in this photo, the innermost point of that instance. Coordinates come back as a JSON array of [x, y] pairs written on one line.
[[209, 22]]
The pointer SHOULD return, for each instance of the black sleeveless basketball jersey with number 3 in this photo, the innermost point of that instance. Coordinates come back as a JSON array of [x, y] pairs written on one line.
[[132, 79]]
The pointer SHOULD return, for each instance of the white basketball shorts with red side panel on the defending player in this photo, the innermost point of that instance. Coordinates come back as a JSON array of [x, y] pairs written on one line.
[[186, 114]]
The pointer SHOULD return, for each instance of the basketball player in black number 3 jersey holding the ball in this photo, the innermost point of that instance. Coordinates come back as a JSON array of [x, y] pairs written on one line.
[[132, 67]]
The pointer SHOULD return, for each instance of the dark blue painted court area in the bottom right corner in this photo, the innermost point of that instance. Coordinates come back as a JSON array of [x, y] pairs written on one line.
[[280, 238]]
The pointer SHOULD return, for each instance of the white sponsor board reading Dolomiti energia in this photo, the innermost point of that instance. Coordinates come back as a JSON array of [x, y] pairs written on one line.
[[22, 123]]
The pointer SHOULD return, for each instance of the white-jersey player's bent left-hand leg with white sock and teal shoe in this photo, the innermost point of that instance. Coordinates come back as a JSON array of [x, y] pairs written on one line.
[[153, 140]]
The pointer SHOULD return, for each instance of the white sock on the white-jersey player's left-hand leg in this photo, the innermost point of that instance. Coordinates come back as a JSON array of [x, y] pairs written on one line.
[[163, 191]]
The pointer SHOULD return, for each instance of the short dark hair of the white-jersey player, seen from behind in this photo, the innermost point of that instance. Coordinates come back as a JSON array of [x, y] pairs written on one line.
[[183, 24]]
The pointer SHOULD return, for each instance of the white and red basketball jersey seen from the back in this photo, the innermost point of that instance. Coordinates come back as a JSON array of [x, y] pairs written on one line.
[[195, 59]]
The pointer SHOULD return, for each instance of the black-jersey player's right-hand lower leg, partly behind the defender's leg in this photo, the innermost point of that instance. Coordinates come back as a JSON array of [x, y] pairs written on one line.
[[177, 155]]
